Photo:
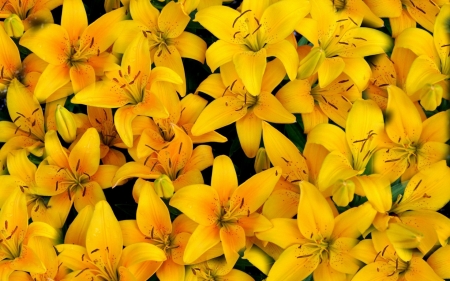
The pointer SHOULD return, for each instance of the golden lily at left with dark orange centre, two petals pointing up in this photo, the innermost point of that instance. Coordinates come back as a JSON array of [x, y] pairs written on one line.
[[76, 174]]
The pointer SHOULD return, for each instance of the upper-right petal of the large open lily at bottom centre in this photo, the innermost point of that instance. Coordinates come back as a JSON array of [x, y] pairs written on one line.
[[246, 200]]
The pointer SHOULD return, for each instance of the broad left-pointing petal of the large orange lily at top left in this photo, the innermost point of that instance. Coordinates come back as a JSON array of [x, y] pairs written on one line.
[[51, 43]]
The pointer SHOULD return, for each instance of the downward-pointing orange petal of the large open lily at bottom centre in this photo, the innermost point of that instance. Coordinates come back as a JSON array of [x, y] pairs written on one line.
[[233, 241]]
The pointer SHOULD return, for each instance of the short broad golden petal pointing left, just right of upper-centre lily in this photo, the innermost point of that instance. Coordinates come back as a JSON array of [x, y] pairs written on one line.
[[295, 96]]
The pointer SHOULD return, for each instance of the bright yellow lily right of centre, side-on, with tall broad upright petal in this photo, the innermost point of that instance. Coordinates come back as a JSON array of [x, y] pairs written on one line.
[[350, 153]]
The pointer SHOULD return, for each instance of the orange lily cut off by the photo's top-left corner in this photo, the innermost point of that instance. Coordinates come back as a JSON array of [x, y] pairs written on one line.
[[30, 13]]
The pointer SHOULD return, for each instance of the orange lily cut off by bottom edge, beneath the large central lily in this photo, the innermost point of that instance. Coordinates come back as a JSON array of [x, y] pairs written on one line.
[[215, 269]]
